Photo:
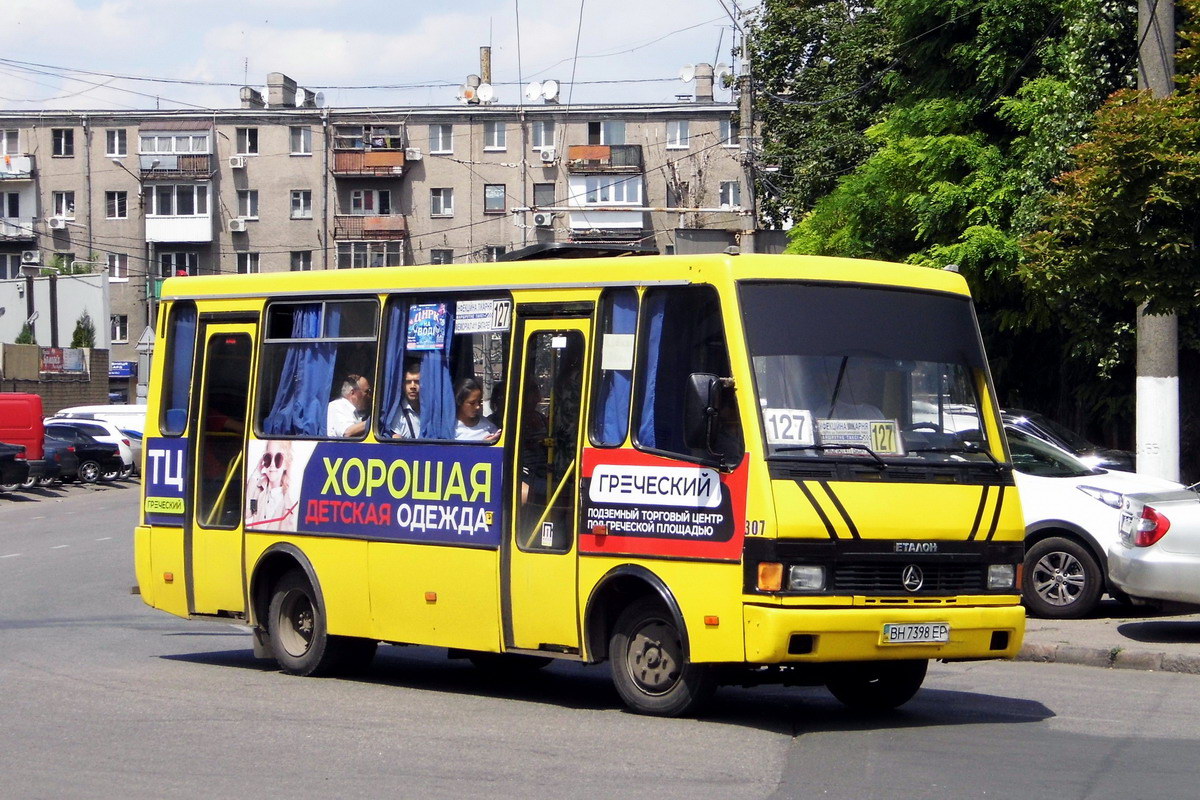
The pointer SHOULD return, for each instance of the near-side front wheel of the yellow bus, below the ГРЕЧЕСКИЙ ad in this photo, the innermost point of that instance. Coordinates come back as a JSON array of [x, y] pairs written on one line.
[[649, 666]]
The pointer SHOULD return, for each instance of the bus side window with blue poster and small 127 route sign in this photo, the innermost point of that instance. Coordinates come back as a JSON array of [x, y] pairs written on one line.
[[433, 346]]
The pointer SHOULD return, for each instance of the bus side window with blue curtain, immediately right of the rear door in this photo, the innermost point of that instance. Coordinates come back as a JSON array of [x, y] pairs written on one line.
[[309, 351]]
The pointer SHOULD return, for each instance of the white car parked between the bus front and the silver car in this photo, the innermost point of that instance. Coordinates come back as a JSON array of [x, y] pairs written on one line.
[[1072, 513]]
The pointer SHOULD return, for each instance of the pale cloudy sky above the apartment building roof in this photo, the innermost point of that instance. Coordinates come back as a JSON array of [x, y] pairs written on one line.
[[82, 55]]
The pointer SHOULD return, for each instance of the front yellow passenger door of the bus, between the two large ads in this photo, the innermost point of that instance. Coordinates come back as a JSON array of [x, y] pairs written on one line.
[[541, 581]]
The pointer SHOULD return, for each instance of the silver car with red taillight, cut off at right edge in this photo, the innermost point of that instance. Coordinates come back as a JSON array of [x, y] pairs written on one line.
[[1156, 556]]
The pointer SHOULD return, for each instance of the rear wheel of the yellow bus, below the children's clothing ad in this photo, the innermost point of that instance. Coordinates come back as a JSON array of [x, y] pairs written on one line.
[[301, 643]]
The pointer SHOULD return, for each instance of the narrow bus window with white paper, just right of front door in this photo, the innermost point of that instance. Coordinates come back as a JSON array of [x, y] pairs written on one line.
[[615, 368]]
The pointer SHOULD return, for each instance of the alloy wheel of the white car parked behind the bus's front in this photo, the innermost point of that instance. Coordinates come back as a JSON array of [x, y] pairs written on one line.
[[1063, 580]]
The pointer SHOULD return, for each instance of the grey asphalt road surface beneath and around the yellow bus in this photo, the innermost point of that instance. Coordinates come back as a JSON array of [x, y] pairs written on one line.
[[103, 697]]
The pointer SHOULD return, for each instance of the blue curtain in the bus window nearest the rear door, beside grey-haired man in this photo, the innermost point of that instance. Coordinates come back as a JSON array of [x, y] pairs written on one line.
[[303, 398]]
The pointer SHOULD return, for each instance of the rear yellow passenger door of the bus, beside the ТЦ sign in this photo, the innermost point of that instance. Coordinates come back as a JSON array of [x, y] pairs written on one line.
[[214, 526]]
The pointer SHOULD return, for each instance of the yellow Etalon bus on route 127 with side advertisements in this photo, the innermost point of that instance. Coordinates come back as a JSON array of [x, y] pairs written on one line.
[[697, 468]]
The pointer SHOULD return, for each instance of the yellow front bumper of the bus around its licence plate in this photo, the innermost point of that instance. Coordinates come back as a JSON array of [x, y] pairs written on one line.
[[782, 635]]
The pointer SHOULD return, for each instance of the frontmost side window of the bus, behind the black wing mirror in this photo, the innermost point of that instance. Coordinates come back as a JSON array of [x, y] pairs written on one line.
[[681, 334]]
